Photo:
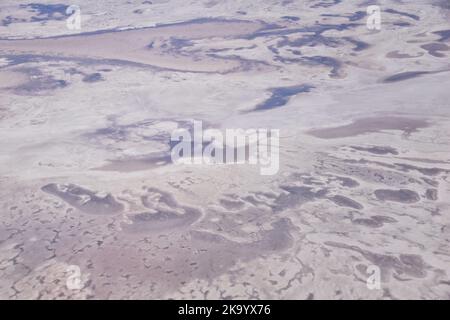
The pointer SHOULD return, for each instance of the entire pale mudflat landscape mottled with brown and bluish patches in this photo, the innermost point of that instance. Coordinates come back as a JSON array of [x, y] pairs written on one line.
[[86, 179]]
